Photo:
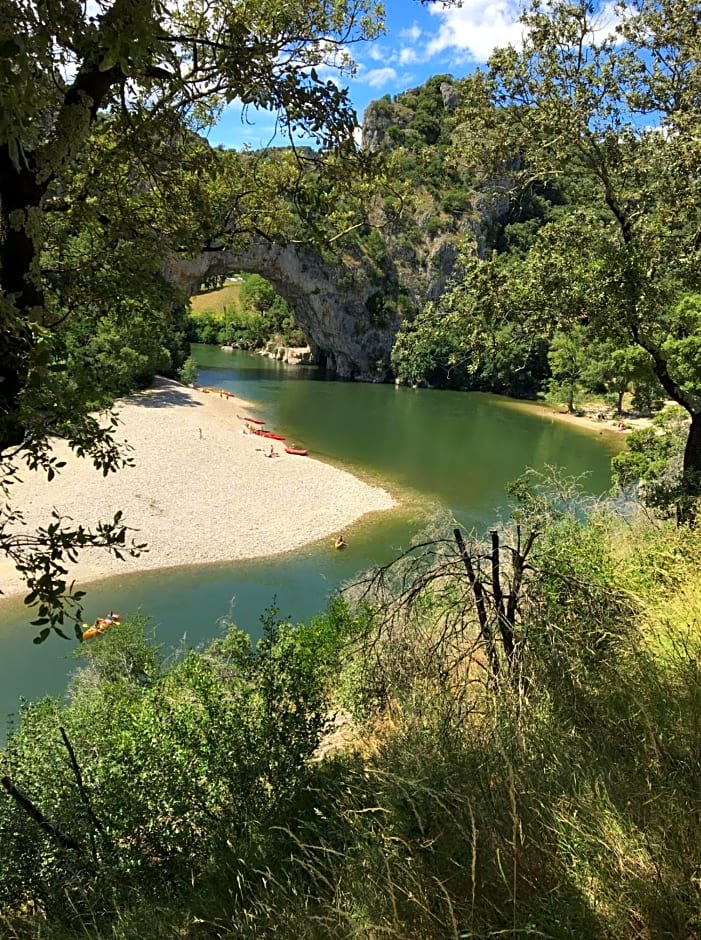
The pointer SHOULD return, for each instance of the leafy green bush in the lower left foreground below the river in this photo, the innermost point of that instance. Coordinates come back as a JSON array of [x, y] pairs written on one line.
[[174, 765]]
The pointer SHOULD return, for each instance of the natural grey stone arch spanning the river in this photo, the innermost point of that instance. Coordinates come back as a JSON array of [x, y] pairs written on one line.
[[335, 305]]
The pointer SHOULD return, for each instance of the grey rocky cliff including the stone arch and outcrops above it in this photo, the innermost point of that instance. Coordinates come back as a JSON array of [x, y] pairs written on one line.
[[349, 310]]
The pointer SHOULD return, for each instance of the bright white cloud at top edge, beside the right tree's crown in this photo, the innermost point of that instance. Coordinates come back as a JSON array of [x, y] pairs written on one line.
[[476, 28]]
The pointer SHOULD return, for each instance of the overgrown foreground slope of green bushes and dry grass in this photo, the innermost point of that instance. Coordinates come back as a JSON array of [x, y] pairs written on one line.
[[544, 786]]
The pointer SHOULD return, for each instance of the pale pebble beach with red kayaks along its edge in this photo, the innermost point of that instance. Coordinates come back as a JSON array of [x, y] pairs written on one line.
[[200, 491]]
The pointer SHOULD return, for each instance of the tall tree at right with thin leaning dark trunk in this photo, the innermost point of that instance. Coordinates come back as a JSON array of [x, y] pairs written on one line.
[[609, 112]]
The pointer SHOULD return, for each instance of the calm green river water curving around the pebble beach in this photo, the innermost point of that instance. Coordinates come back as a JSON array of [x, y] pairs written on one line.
[[439, 452]]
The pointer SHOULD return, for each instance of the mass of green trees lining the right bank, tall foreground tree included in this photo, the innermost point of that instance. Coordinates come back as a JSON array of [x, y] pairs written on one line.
[[583, 147]]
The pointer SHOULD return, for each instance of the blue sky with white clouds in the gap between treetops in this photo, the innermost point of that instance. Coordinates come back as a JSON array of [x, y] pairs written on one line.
[[420, 42]]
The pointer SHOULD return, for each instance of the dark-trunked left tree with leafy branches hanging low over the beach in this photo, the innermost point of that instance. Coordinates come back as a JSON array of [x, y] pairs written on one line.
[[102, 105]]
